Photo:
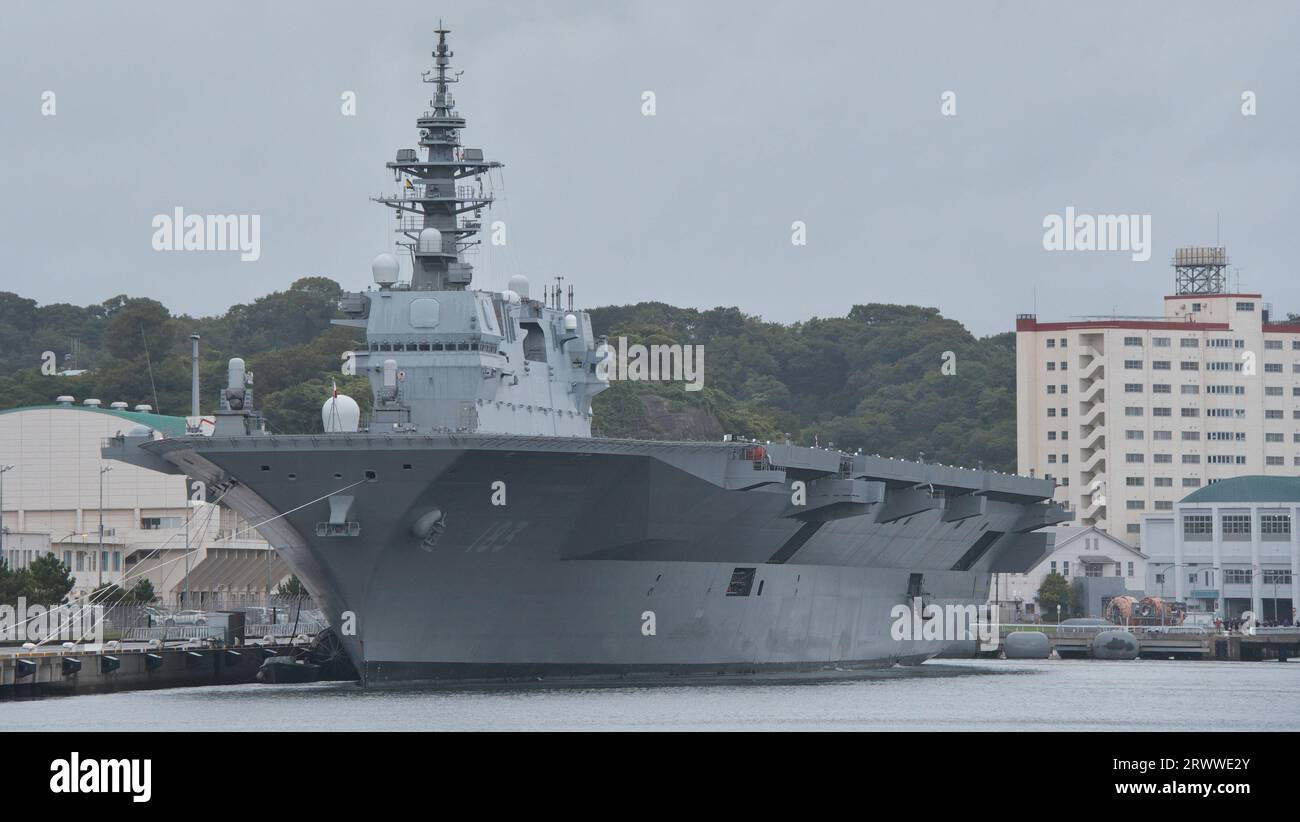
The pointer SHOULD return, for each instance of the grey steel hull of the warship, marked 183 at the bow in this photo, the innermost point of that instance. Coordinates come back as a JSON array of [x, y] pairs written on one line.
[[560, 559]]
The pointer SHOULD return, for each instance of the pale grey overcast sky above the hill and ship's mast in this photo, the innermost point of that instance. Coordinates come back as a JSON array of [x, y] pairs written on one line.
[[766, 114]]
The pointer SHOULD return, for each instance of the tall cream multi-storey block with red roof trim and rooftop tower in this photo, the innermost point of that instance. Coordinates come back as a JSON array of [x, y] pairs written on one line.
[[1130, 416]]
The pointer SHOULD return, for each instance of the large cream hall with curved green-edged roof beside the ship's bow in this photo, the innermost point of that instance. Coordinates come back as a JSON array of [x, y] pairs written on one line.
[[51, 496]]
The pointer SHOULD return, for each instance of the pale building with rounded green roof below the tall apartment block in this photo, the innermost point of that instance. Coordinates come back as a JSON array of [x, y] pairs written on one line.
[[1229, 548]]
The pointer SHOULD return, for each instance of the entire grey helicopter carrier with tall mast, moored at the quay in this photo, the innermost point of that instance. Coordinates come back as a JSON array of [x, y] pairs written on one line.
[[475, 530]]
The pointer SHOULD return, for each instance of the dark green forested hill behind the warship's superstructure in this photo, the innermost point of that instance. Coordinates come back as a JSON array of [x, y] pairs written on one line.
[[870, 380]]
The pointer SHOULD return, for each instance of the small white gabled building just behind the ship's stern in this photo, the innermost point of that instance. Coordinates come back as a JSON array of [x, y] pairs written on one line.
[[1081, 551]]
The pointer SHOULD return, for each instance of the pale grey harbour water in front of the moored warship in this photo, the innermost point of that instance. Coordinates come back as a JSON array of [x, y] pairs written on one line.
[[954, 696]]
